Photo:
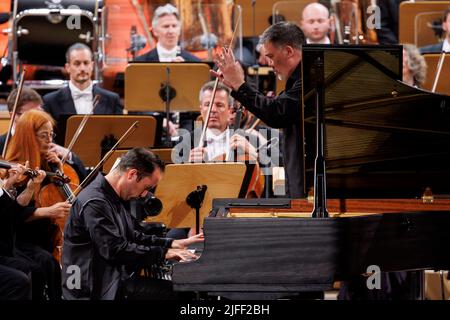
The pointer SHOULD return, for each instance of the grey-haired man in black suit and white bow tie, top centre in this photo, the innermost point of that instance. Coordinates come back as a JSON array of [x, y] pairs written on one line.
[[166, 28]]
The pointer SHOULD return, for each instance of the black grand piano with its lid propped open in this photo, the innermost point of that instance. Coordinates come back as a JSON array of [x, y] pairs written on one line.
[[387, 148]]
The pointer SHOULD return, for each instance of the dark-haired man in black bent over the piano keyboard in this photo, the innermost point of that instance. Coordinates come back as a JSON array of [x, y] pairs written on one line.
[[101, 241]]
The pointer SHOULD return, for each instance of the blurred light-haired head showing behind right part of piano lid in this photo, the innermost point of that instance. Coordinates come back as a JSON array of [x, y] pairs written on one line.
[[414, 66]]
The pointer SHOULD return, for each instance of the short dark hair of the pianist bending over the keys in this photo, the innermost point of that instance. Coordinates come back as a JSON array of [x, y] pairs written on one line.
[[141, 159]]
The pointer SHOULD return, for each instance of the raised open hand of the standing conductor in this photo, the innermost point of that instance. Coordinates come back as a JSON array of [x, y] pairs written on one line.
[[230, 71]]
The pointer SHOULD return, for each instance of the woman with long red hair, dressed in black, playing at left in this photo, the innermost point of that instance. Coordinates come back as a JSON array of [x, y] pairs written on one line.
[[32, 142]]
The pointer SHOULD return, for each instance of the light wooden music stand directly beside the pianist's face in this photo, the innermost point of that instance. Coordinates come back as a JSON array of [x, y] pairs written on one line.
[[222, 180]]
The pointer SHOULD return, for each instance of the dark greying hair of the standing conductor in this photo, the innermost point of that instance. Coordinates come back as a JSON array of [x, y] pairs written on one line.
[[284, 34]]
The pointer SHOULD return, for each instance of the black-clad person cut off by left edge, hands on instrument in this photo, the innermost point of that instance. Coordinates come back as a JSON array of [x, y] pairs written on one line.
[[20, 279]]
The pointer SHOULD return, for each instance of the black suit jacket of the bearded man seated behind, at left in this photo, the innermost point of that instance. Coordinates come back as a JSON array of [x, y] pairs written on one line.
[[60, 102]]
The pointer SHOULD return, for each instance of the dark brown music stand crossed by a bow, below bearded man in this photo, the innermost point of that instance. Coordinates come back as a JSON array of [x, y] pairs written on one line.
[[88, 145]]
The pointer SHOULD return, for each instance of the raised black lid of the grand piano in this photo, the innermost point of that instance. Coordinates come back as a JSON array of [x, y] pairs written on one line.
[[383, 138]]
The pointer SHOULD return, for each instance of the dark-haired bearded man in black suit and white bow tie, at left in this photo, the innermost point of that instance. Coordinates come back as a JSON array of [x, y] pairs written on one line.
[[78, 96]]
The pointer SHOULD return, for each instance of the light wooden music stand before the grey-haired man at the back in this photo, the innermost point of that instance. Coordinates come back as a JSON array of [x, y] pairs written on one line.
[[164, 87]]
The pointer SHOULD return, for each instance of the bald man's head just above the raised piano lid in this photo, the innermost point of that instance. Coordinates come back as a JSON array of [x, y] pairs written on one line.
[[315, 23]]
